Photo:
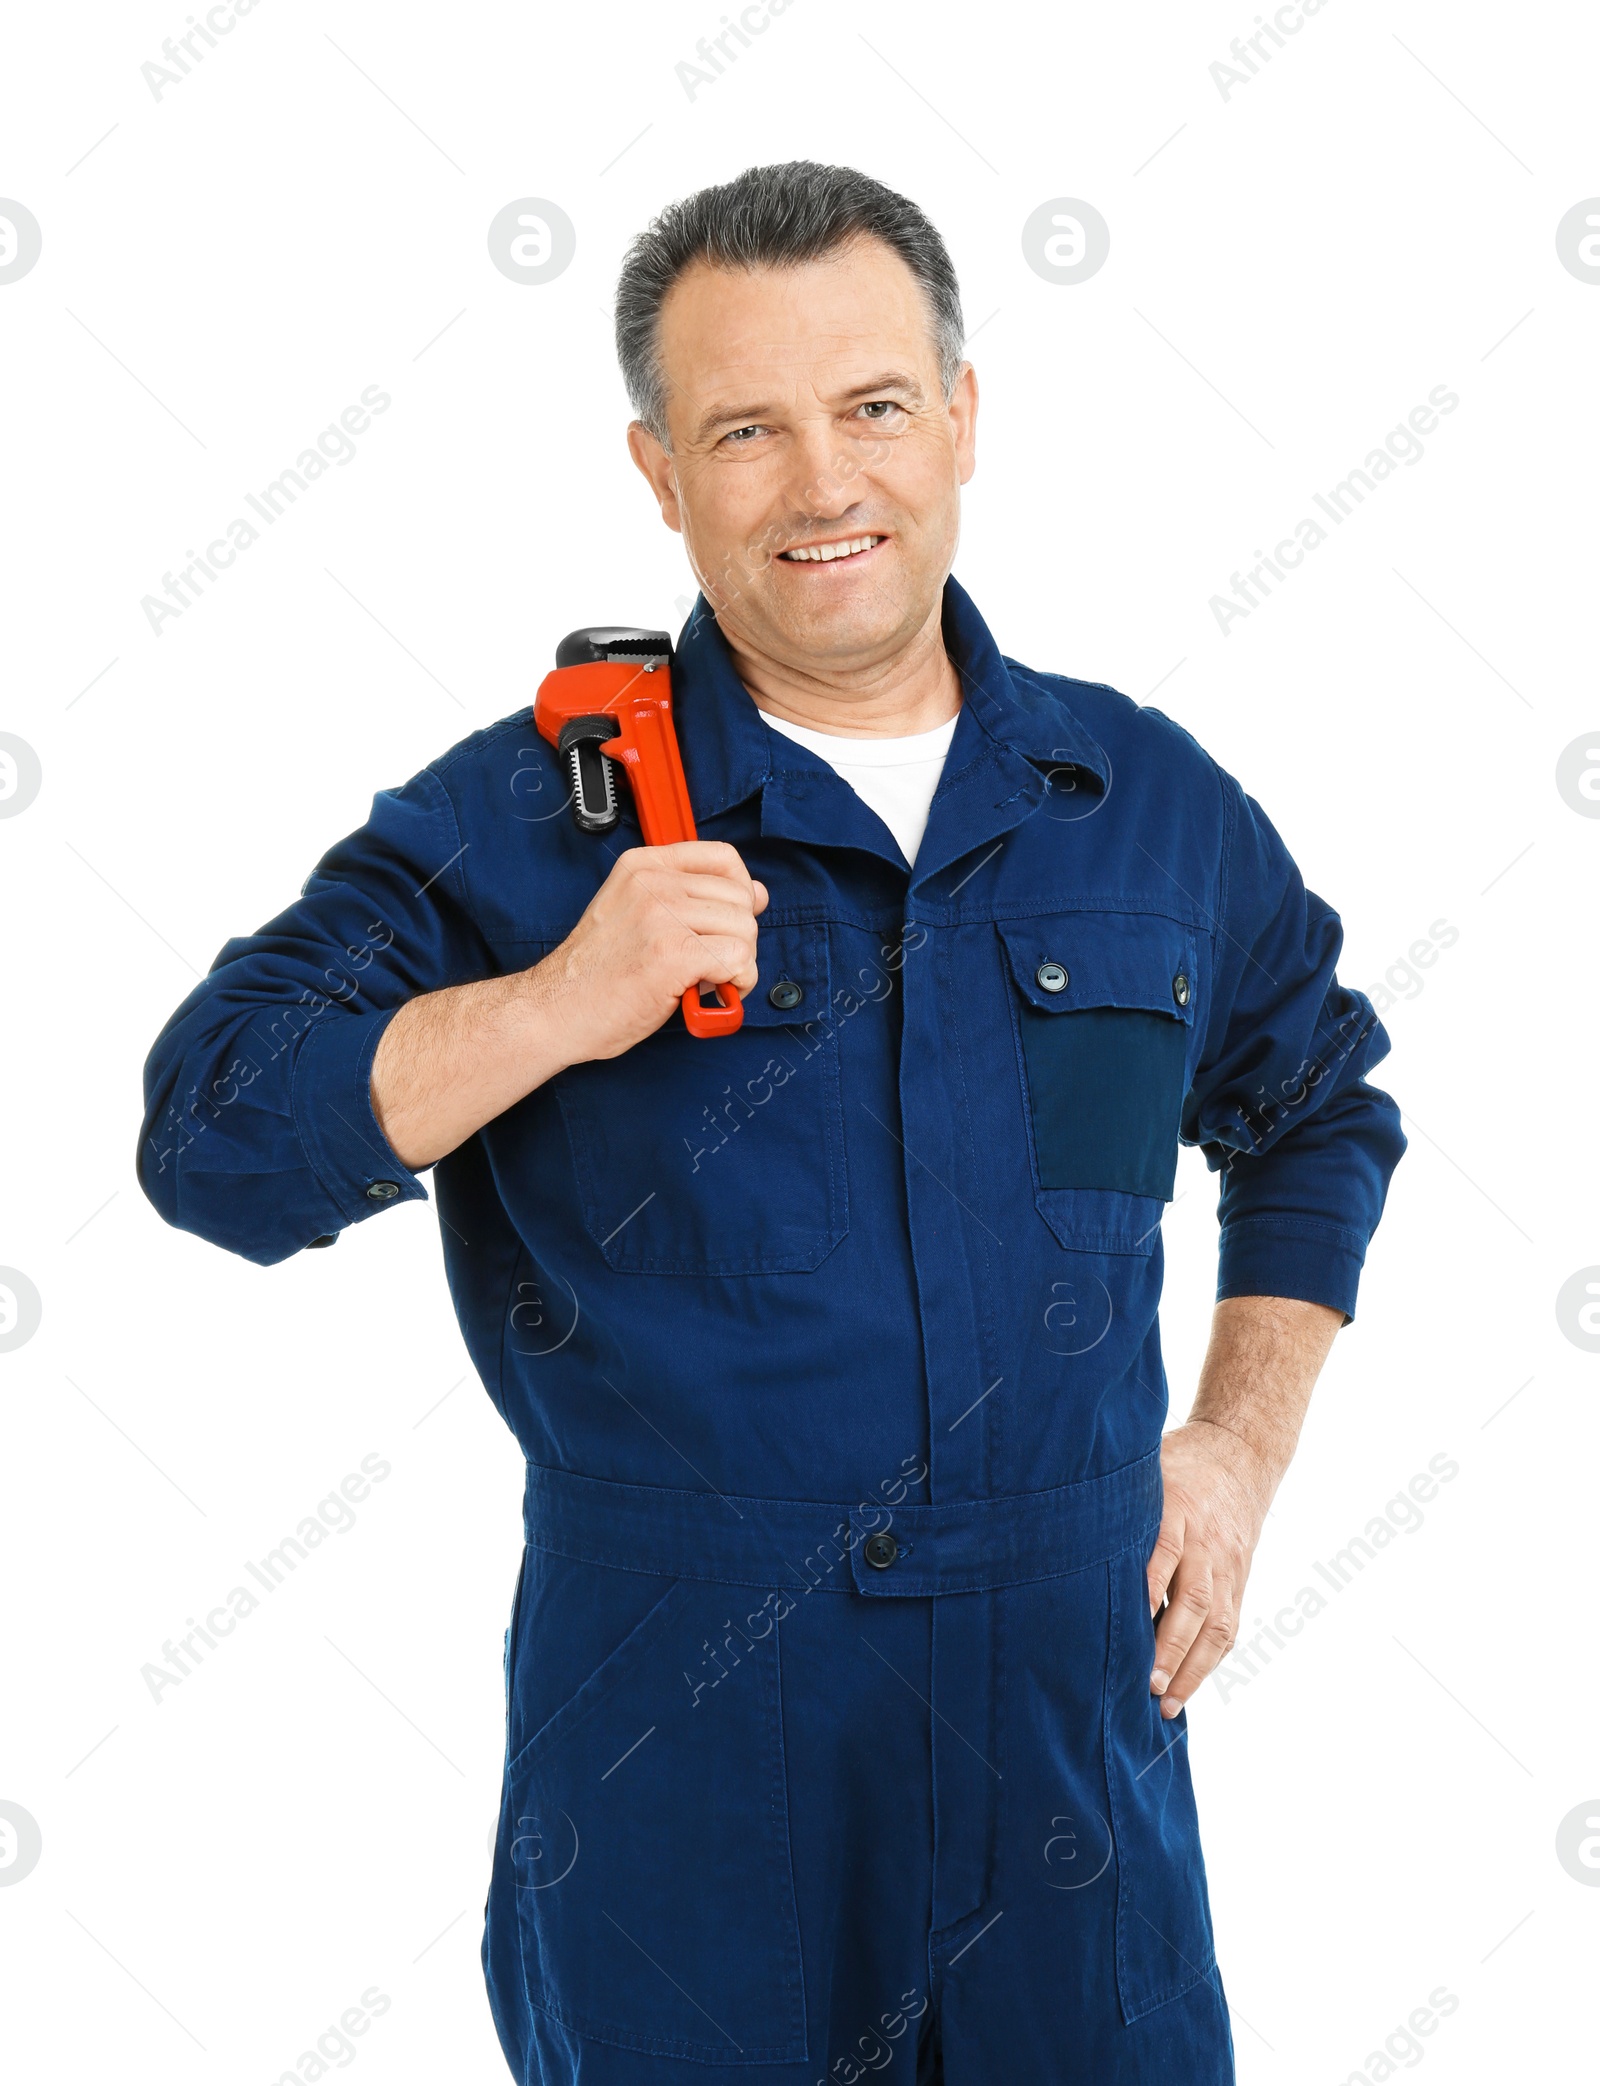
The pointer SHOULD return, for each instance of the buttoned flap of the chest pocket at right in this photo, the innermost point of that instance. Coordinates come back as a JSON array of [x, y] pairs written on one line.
[[1065, 965]]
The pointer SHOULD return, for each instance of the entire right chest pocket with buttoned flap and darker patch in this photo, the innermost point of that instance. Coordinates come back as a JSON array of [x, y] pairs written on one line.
[[1105, 1019]]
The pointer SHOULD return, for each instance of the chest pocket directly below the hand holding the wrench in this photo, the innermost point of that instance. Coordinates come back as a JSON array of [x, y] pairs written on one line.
[[721, 1157]]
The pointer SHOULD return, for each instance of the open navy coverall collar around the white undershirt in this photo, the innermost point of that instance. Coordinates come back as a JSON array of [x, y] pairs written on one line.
[[1011, 739]]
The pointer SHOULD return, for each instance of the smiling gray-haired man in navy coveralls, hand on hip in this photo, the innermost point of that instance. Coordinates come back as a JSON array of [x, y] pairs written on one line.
[[842, 1735]]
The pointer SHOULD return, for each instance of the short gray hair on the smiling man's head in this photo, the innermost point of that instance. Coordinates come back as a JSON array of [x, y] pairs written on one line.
[[775, 218]]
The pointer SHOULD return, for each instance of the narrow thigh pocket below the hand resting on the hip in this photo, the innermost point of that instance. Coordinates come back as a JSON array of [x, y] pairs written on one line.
[[1163, 1914]]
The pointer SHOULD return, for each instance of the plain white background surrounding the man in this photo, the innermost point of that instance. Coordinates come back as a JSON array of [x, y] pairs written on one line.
[[1292, 270]]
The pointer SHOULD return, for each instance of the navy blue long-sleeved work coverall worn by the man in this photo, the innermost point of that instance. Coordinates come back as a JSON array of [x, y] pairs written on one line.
[[833, 1355]]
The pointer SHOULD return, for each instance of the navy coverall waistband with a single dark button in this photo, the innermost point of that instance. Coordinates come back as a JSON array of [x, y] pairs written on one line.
[[963, 1547]]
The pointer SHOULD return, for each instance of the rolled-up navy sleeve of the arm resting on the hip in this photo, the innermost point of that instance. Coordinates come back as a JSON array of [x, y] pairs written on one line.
[[1280, 1102]]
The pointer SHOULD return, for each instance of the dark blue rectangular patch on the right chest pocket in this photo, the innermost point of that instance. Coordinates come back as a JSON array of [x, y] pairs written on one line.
[[1107, 1090]]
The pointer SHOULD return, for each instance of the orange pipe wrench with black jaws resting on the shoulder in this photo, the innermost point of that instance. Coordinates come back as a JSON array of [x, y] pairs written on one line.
[[608, 706]]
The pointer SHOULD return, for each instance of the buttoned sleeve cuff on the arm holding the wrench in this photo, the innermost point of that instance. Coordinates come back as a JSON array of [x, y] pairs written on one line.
[[335, 1119]]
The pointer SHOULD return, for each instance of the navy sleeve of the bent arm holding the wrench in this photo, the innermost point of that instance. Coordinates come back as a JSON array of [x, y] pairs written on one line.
[[260, 1130]]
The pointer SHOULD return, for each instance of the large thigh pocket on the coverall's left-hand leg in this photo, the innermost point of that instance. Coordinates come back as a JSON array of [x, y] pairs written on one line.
[[650, 1845]]
